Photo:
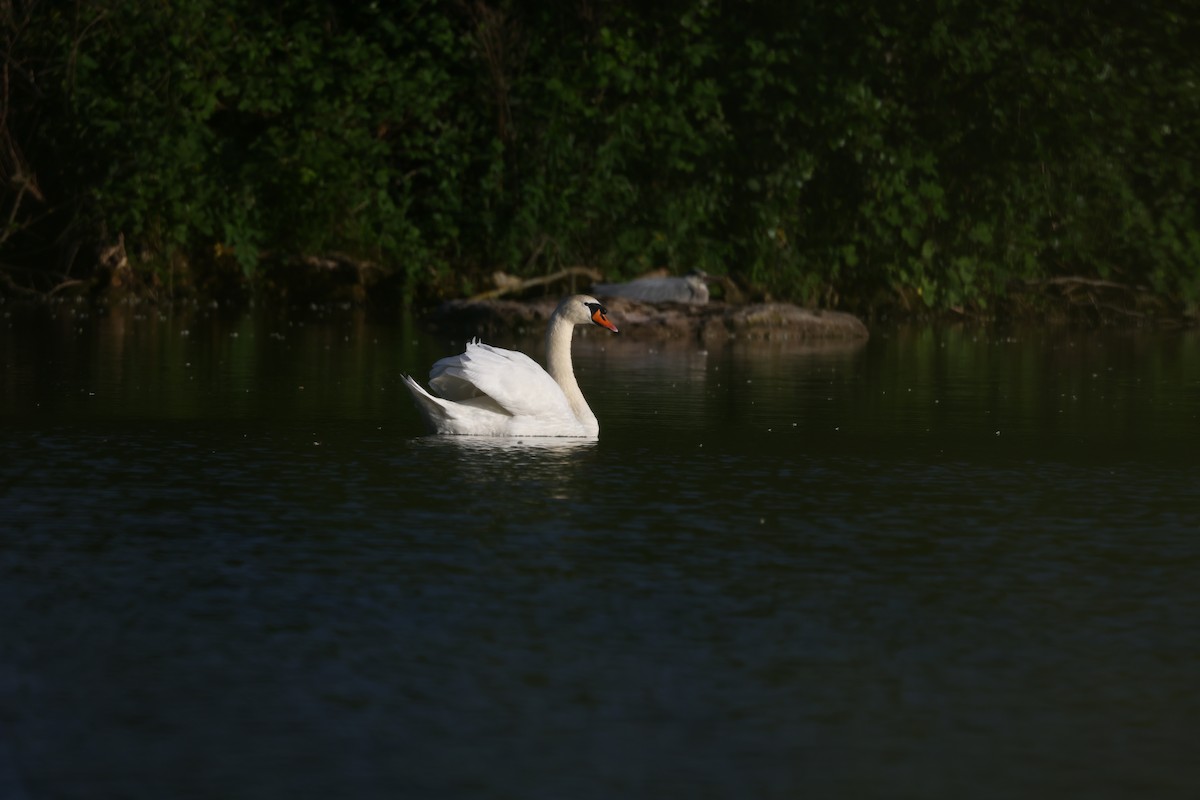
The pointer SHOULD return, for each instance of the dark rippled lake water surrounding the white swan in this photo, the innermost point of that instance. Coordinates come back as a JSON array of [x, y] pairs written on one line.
[[949, 563]]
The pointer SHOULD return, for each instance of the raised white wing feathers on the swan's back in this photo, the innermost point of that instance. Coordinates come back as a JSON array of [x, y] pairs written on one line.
[[514, 382]]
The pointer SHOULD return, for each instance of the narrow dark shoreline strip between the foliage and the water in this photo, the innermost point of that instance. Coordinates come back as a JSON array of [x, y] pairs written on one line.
[[711, 322]]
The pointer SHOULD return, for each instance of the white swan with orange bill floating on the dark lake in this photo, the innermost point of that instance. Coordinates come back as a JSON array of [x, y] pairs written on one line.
[[496, 393]]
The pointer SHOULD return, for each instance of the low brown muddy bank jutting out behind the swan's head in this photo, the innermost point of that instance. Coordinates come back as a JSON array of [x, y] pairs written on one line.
[[711, 323]]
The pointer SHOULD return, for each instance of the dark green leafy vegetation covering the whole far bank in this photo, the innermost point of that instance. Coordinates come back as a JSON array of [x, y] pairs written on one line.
[[1004, 158]]
